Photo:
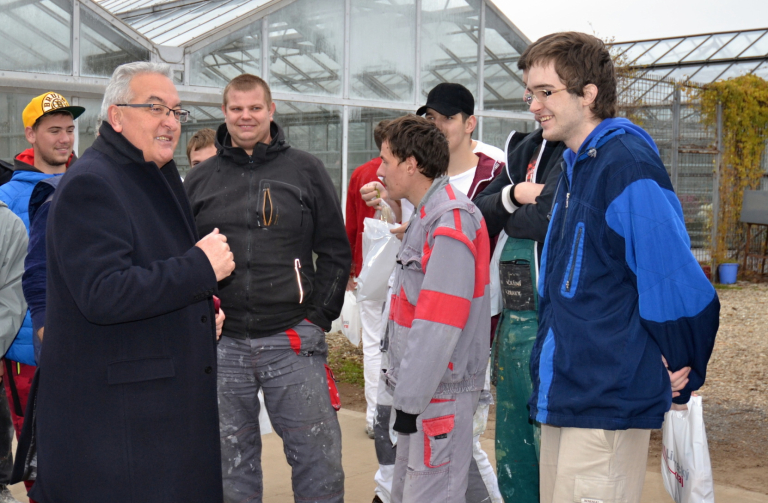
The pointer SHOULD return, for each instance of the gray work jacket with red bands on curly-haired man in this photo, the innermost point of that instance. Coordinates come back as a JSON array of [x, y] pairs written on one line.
[[439, 322]]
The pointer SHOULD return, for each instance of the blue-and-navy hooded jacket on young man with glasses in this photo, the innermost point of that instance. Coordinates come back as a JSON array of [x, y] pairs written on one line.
[[619, 288]]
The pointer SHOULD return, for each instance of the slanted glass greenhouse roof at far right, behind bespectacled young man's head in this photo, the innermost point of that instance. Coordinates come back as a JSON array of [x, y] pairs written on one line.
[[701, 58]]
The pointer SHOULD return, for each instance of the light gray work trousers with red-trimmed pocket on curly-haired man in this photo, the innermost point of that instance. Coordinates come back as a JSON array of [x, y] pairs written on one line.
[[433, 463]]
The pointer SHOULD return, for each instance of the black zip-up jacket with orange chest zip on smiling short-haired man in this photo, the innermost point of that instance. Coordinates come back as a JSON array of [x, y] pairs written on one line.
[[276, 207]]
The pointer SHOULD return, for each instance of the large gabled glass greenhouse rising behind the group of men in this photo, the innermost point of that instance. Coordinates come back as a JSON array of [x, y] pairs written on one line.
[[336, 67]]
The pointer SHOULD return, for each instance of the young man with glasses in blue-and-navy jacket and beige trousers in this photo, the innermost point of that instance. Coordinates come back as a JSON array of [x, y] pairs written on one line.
[[619, 288]]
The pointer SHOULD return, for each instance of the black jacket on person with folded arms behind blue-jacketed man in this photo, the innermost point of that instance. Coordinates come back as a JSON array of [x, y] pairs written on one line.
[[529, 221]]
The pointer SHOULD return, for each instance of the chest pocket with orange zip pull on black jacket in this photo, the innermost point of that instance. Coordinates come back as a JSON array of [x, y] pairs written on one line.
[[280, 205]]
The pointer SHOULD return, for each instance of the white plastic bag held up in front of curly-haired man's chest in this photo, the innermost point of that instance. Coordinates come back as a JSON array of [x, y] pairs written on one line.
[[379, 254]]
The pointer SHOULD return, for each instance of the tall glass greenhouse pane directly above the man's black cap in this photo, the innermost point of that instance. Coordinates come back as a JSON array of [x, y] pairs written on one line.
[[449, 40]]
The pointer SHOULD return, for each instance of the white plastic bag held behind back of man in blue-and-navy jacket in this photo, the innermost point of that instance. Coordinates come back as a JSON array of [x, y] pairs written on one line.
[[685, 465]]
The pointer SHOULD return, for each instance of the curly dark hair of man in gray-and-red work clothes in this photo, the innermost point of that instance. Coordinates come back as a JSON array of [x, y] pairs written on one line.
[[411, 135]]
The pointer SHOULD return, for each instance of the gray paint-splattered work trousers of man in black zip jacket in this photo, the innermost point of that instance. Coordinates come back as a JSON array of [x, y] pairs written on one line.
[[291, 369]]
